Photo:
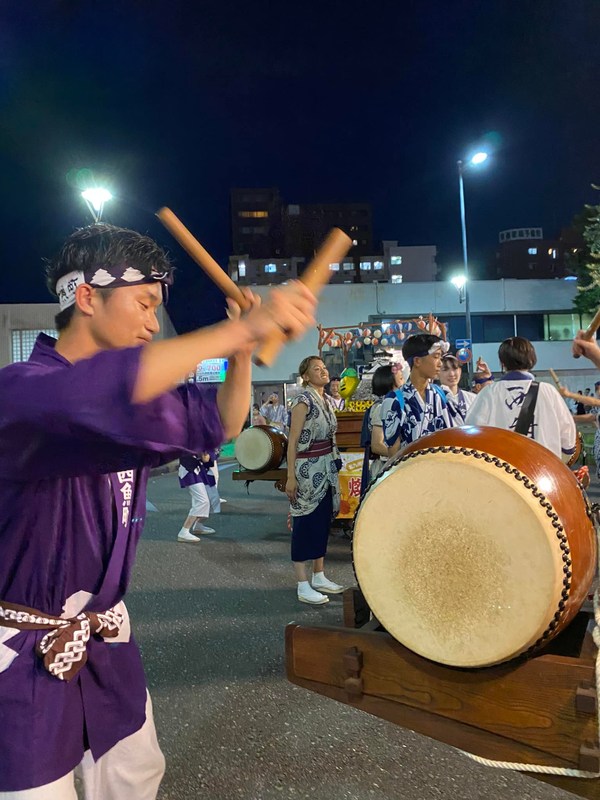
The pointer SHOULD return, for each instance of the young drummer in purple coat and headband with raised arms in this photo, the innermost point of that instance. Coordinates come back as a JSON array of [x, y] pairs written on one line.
[[81, 424]]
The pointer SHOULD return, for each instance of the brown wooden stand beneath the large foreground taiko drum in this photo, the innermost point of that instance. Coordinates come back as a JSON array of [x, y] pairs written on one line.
[[542, 710]]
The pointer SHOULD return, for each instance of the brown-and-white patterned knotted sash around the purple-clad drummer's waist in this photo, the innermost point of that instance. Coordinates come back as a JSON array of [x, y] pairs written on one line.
[[64, 648]]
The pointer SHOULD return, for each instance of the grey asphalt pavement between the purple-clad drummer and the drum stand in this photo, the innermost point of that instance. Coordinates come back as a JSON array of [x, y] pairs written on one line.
[[210, 620]]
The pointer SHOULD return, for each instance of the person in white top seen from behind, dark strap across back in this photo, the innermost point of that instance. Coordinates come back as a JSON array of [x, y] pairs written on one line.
[[500, 404]]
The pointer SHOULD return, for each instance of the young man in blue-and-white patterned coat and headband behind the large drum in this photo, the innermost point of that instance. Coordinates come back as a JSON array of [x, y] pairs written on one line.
[[419, 407]]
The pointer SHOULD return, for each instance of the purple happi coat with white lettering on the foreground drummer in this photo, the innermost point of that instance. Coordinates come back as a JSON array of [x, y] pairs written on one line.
[[75, 454]]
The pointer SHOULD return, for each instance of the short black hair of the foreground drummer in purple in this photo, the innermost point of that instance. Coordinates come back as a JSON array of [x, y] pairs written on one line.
[[102, 245]]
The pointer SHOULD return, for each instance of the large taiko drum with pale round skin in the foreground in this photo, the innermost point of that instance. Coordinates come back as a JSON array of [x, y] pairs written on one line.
[[475, 546]]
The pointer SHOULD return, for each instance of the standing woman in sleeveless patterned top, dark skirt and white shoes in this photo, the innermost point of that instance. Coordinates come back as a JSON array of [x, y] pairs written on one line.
[[312, 484]]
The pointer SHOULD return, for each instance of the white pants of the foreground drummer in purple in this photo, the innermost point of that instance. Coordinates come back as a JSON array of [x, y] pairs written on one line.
[[131, 770]]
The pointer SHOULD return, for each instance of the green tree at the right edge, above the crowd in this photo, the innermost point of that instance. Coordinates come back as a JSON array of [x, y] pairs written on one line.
[[585, 261]]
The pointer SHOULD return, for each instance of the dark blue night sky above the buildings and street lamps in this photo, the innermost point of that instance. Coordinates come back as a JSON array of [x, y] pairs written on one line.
[[173, 103]]
